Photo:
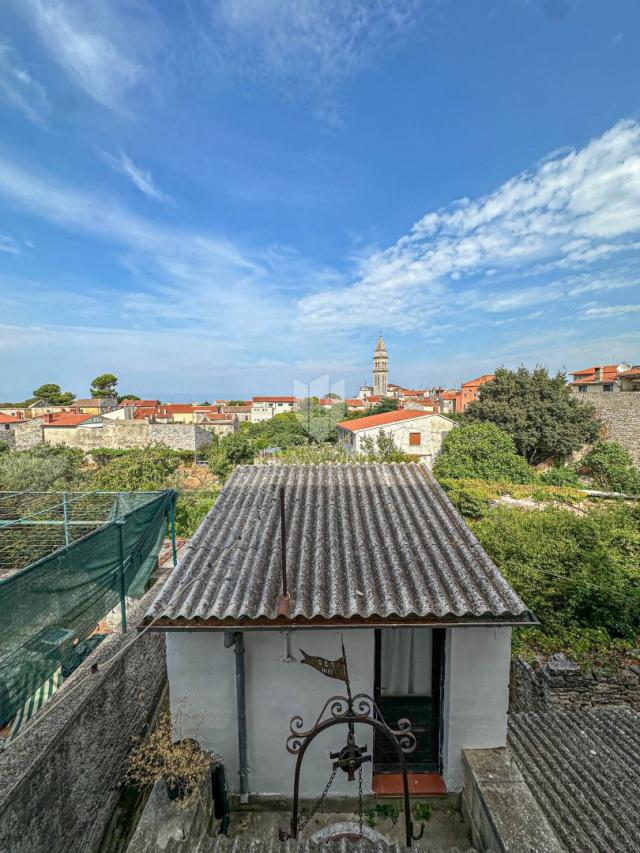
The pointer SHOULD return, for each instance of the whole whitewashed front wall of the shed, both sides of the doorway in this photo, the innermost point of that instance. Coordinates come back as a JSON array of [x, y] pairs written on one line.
[[202, 686]]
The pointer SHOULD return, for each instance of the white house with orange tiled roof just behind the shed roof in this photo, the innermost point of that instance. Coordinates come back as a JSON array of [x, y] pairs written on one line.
[[415, 432]]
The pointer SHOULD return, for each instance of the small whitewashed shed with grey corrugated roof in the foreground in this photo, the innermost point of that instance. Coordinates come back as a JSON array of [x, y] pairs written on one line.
[[377, 559]]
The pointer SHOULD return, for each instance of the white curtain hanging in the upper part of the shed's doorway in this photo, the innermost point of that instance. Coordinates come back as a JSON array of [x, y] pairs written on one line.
[[405, 662]]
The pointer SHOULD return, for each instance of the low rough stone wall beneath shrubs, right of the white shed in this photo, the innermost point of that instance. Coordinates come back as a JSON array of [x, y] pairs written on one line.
[[561, 683]]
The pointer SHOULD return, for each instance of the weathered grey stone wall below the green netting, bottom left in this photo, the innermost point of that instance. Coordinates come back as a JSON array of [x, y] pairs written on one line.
[[59, 783]]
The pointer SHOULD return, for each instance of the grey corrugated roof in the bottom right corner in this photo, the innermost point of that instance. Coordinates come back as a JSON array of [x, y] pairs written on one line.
[[582, 767]]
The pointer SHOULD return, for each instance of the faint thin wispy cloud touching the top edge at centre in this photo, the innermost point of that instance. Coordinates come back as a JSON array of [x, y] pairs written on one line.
[[303, 47]]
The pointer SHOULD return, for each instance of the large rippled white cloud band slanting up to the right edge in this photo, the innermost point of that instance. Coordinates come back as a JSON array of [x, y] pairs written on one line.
[[582, 203]]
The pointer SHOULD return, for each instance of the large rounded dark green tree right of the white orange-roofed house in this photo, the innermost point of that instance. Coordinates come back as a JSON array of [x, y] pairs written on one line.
[[540, 412]]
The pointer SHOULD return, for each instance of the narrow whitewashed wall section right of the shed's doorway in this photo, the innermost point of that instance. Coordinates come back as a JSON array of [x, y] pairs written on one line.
[[476, 695]]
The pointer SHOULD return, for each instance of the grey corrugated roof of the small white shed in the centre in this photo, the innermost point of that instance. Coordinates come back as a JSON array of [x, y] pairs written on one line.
[[364, 542]]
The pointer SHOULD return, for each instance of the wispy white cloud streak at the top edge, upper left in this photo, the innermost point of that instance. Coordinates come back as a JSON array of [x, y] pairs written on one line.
[[99, 44]]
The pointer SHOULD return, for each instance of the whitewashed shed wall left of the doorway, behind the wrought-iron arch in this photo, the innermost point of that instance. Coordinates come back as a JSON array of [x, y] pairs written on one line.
[[202, 684]]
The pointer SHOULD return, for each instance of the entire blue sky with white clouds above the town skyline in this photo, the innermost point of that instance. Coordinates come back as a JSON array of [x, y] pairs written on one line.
[[220, 197]]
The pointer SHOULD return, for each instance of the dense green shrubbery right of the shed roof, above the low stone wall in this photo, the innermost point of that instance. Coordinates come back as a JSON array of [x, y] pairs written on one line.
[[578, 572]]
